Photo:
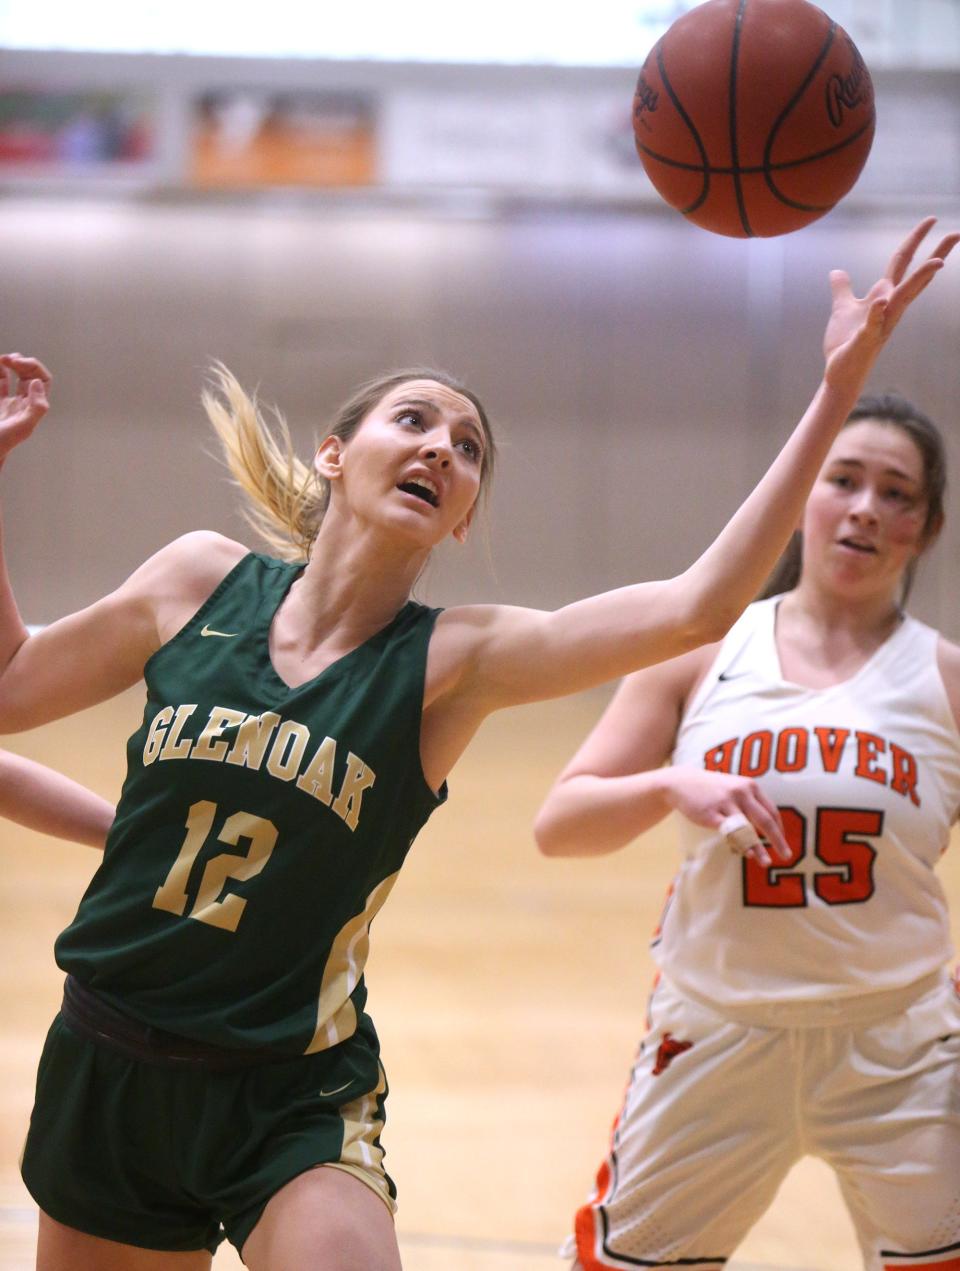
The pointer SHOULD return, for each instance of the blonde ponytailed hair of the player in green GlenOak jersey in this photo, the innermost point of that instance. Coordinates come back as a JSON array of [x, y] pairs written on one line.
[[287, 499]]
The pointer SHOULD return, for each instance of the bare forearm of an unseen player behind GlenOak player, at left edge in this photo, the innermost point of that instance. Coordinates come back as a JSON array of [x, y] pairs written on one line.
[[44, 800]]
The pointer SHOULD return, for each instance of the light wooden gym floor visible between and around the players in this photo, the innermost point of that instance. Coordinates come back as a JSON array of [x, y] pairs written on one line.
[[509, 992]]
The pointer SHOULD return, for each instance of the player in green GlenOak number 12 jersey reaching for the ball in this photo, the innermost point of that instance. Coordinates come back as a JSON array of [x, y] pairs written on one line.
[[301, 723]]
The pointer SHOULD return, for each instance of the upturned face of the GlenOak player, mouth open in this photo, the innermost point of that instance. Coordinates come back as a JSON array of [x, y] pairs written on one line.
[[414, 466]]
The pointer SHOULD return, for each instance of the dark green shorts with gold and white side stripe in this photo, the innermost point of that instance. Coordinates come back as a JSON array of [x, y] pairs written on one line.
[[176, 1160]]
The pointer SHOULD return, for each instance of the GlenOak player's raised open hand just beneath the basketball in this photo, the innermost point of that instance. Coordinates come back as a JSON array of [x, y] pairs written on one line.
[[860, 327]]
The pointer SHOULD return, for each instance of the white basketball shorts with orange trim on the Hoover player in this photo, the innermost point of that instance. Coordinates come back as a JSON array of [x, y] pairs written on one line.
[[719, 1110]]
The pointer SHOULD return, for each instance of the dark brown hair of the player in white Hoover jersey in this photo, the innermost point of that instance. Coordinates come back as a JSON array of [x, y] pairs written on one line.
[[896, 411]]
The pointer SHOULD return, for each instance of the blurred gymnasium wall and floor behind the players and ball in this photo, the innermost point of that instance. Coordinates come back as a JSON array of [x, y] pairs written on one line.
[[312, 200]]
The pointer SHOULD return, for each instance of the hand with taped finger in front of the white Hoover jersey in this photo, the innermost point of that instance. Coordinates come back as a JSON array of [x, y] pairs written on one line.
[[709, 799]]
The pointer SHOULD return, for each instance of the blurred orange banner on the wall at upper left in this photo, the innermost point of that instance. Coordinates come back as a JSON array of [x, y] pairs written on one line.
[[245, 139]]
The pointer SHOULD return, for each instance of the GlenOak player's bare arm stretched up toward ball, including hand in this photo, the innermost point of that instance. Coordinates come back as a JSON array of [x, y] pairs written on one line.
[[500, 656]]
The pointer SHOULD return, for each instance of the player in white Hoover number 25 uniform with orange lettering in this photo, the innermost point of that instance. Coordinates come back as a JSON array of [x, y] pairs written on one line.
[[803, 1006]]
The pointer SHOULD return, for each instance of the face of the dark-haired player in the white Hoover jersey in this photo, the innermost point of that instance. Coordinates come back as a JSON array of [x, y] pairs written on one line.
[[865, 518]]
